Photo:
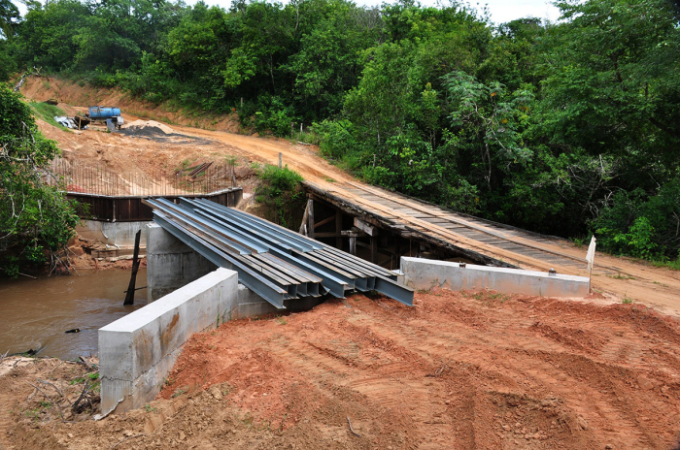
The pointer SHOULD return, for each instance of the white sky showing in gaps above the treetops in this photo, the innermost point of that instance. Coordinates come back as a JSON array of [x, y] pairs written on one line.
[[501, 10]]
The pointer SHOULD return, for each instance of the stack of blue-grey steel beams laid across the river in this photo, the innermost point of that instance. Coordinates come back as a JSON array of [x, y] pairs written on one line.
[[272, 261]]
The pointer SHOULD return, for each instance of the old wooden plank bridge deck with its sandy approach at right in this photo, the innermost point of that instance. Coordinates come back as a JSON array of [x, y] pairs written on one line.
[[497, 244]]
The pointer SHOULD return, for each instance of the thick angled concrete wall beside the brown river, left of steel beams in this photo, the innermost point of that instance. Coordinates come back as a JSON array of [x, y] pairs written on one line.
[[137, 351]]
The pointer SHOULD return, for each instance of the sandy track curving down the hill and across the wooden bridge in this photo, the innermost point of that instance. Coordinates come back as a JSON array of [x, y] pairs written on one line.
[[621, 277]]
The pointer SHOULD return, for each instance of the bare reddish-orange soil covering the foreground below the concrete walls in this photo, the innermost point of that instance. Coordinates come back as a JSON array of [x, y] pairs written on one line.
[[459, 370]]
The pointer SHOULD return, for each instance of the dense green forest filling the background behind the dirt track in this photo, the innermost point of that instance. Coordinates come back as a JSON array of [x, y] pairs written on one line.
[[569, 128]]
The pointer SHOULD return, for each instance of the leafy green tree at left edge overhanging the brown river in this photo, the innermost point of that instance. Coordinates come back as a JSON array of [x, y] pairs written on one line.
[[36, 220]]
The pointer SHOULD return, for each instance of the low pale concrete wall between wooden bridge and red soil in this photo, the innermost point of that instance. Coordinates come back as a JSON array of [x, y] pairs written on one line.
[[425, 274]]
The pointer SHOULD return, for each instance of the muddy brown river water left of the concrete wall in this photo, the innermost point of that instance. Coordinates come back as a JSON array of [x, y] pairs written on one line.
[[35, 314]]
